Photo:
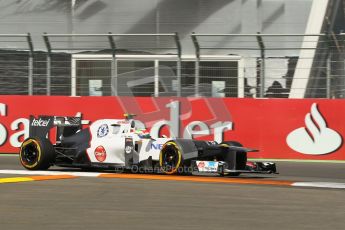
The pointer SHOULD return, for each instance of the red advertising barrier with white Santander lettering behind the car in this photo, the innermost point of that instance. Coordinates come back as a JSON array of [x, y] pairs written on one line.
[[279, 128]]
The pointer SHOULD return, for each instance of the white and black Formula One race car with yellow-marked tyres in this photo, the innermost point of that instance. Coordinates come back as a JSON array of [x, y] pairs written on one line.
[[116, 144]]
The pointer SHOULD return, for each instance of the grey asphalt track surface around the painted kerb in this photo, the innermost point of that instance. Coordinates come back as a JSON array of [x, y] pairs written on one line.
[[100, 203]]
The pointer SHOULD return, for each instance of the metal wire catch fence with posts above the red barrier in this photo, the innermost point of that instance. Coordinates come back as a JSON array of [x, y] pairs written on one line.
[[223, 65]]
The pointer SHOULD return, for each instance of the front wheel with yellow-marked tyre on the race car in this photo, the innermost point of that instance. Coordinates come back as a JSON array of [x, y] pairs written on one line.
[[170, 158]]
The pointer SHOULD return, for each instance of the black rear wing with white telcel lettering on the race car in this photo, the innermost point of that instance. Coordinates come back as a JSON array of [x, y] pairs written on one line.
[[40, 126]]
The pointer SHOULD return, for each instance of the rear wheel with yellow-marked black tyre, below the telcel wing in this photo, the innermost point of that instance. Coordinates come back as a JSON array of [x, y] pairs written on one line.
[[37, 153]]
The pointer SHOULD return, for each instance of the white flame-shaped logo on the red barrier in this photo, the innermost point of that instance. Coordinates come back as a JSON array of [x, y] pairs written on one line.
[[316, 138]]
